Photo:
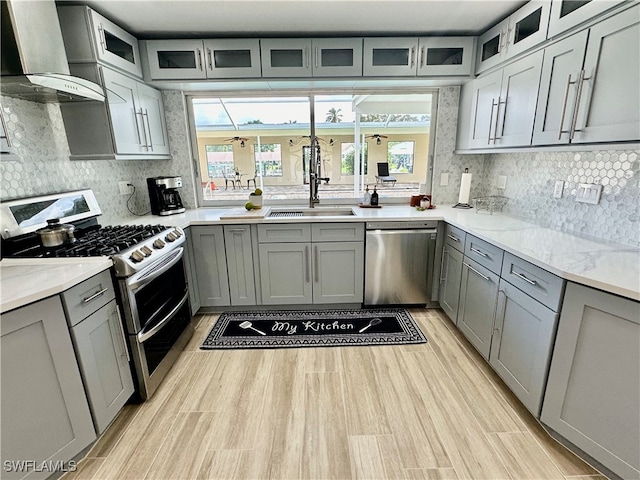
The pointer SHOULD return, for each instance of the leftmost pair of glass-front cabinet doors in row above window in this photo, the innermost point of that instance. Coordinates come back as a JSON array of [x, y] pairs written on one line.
[[201, 59]]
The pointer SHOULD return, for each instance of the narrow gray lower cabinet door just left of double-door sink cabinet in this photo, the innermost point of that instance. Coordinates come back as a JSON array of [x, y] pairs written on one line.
[[239, 255]]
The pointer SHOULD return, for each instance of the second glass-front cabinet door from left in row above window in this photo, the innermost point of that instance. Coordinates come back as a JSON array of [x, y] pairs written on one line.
[[232, 58]]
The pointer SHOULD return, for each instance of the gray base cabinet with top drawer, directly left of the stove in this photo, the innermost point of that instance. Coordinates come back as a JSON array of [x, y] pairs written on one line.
[[100, 346]]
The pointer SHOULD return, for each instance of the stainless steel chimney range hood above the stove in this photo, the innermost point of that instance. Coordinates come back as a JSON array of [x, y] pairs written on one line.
[[34, 62]]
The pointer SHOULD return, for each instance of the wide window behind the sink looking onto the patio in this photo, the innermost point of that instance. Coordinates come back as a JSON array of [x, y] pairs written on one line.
[[268, 139]]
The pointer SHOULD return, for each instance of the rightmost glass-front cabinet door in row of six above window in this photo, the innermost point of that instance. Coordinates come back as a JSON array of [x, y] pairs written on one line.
[[446, 56]]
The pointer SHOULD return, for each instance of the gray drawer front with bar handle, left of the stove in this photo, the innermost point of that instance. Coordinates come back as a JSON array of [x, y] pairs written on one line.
[[87, 297]]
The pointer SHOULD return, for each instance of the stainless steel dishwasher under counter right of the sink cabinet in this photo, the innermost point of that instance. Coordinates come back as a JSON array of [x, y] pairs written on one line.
[[399, 259]]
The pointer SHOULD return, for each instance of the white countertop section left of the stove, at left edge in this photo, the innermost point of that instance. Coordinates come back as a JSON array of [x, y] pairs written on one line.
[[23, 281]]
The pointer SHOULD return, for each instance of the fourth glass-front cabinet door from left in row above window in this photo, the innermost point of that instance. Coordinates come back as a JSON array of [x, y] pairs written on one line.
[[336, 57]]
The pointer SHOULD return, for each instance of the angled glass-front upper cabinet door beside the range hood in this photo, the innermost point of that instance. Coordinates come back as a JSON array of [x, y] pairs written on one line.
[[115, 46]]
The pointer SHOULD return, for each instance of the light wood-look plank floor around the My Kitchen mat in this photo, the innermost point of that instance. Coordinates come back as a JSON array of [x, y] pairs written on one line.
[[429, 411]]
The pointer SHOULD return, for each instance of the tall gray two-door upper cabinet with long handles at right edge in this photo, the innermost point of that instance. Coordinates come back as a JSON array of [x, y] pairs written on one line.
[[589, 87]]
